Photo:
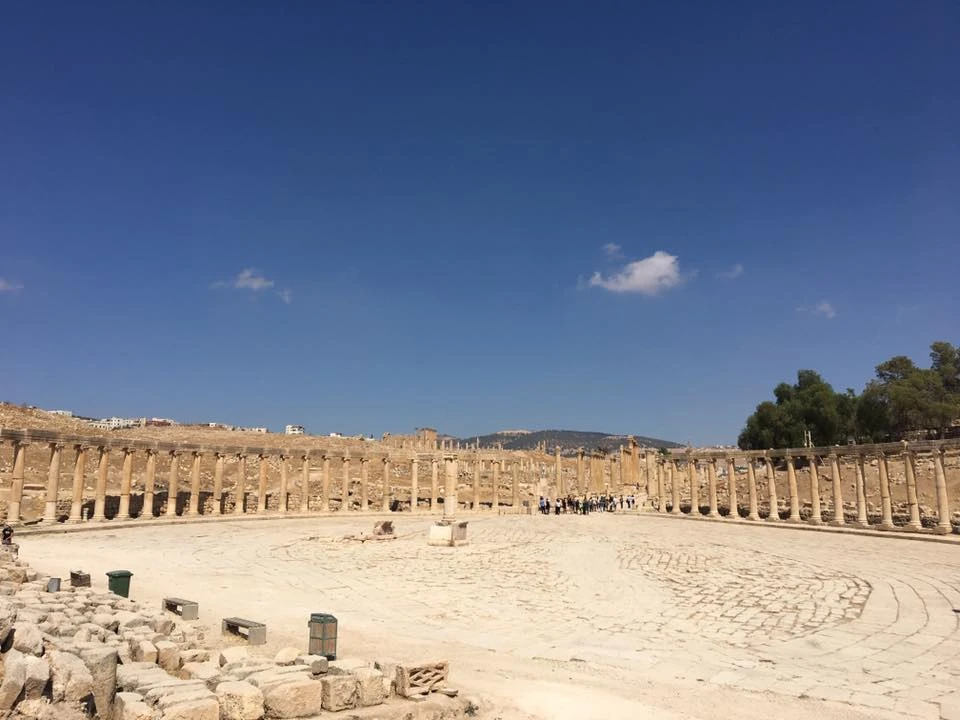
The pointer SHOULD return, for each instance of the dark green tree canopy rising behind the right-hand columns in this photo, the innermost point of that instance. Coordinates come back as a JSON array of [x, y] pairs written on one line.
[[901, 400]]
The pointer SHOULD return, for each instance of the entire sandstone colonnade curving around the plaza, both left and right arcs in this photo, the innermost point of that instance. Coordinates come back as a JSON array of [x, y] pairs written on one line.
[[672, 481]]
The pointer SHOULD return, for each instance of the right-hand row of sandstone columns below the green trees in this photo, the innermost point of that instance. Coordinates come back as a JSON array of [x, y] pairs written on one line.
[[667, 471]]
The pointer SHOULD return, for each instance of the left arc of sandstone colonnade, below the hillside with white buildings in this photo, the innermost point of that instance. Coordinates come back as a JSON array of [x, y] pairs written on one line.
[[183, 479]]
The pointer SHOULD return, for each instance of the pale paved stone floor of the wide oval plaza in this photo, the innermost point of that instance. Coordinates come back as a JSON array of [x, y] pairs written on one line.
[[673, 617]]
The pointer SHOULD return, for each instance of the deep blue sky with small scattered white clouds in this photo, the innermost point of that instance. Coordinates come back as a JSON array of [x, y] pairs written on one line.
[[367, 217]]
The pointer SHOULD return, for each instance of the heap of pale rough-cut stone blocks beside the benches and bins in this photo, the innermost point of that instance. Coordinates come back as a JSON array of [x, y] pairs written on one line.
[[76, 653]]
